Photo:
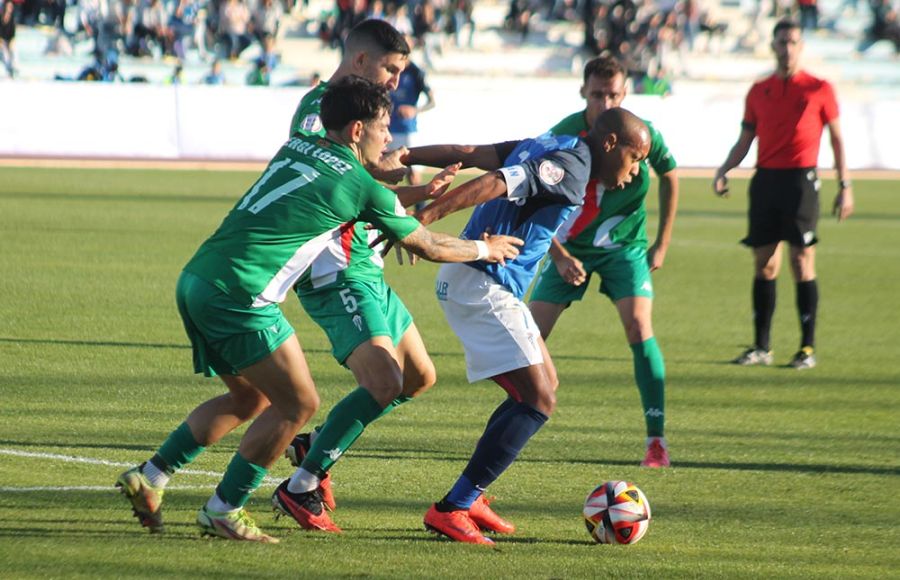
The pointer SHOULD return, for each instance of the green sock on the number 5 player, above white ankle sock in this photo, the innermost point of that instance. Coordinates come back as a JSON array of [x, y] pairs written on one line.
[[345, 423]]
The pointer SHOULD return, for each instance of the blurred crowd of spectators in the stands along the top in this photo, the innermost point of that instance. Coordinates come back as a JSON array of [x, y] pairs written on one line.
[[651, 36]]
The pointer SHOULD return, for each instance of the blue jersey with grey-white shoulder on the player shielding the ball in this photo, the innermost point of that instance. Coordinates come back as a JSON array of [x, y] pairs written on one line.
[[545, 179]]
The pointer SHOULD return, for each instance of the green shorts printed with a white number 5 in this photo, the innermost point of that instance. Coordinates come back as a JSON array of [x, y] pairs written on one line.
[[352, 312]]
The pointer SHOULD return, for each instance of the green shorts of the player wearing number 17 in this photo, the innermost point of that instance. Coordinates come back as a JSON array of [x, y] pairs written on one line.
[[226, 336]]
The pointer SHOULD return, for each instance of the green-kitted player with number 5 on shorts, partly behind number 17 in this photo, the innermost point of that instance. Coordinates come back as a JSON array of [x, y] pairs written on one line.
[[375, 50]]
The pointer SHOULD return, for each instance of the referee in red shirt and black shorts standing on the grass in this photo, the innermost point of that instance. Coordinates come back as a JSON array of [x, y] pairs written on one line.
[[788, 112]]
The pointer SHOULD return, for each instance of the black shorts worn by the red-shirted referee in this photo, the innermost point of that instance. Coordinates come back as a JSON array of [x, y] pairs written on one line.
[[784, 206]]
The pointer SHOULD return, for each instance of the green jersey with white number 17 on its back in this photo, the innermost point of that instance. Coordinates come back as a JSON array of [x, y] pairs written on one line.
[[295, 223]]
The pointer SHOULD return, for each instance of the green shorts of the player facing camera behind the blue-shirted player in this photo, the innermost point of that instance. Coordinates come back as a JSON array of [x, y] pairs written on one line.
[[623, 274]]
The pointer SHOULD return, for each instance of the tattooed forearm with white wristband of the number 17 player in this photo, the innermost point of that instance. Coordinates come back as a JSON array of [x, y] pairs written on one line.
[[438, 247]]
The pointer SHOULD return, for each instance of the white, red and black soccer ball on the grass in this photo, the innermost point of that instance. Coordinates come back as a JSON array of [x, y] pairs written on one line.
[[616, 512]]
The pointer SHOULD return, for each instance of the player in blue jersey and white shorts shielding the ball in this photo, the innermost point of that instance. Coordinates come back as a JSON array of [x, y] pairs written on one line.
[[531, 189]]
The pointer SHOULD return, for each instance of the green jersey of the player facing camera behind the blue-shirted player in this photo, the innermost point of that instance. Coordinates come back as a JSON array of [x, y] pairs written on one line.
[[612, 219]]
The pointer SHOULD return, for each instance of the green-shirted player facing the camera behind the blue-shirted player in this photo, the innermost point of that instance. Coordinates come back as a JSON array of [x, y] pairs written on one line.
[[607, 237]]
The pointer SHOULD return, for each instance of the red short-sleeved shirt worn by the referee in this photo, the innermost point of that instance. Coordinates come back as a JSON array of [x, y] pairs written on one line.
[[788, 116]]
